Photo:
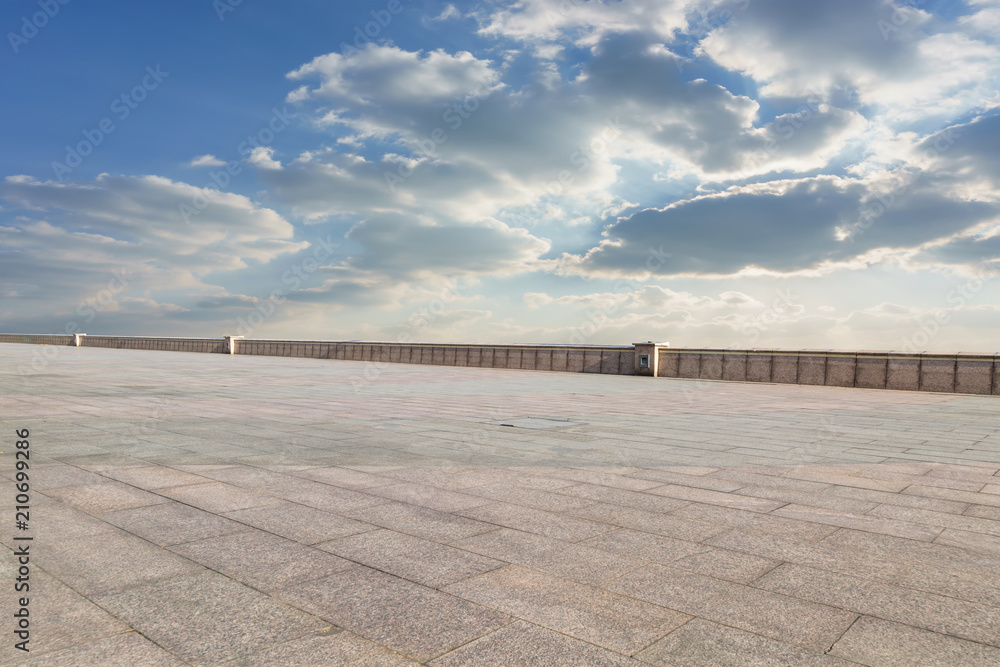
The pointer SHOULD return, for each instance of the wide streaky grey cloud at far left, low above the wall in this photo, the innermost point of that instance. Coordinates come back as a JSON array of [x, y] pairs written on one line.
[[118, 247]]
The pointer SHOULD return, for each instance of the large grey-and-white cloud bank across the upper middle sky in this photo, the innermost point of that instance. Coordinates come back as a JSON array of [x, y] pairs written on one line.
[[554, 150]]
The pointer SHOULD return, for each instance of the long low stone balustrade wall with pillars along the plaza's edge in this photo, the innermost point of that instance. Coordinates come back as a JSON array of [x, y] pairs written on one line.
[[960, 373]]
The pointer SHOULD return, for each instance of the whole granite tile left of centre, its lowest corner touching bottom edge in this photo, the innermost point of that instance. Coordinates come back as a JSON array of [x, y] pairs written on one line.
[[414, 620]]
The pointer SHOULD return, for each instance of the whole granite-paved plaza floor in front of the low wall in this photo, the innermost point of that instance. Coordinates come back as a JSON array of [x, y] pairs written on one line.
[[205, 509]]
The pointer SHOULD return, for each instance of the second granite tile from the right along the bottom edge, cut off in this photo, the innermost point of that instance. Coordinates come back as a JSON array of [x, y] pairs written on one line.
[[701, 642]]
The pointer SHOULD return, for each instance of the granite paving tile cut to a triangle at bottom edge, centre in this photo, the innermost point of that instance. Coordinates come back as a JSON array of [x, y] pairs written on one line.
[[529, 645]]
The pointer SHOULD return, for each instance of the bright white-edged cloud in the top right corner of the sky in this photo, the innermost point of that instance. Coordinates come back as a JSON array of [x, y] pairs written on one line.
[[878, 52]]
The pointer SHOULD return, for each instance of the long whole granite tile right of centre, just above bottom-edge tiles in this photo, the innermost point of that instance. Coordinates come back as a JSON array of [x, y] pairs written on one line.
[[805, 624]]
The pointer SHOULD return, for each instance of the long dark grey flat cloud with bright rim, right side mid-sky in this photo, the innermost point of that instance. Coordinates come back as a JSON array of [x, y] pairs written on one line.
[[792, 229]]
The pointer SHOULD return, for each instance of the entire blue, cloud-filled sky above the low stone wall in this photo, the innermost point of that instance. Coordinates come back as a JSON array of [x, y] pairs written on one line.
[[708, 173]]
